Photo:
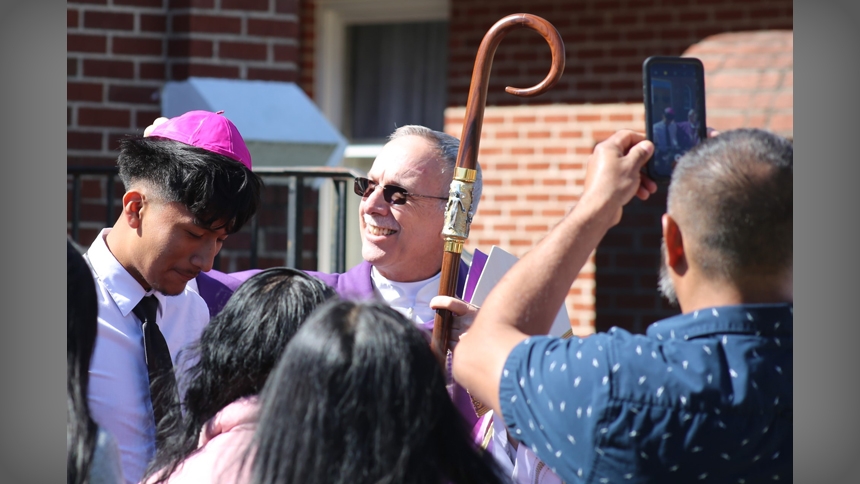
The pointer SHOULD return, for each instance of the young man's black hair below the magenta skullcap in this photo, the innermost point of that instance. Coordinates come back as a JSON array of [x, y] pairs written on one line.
[[214, 188]]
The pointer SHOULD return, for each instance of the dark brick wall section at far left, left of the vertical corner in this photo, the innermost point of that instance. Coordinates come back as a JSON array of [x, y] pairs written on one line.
[[116, 65]]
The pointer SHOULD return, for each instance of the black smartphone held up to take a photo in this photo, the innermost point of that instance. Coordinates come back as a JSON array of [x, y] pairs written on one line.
[[674, 92]]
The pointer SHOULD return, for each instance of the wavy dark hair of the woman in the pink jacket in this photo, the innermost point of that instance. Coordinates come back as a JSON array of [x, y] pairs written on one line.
[[237, 351]]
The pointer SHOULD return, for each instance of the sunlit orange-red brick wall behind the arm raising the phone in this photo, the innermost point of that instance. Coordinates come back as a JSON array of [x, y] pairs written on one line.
[[533, 162]]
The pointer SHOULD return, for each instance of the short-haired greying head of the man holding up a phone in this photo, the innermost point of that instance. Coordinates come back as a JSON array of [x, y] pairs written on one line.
[[733, 194]]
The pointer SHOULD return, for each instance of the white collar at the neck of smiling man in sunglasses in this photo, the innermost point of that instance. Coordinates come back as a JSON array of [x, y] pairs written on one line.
[[410, 298]]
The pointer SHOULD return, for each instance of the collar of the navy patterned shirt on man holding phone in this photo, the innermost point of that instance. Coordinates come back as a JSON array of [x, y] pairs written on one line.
[[756, 319]]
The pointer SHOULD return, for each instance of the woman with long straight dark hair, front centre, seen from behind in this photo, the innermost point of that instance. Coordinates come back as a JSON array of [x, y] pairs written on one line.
[[358, 397]]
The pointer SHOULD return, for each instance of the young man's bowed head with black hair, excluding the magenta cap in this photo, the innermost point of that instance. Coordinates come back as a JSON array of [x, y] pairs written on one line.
[[180, 204]]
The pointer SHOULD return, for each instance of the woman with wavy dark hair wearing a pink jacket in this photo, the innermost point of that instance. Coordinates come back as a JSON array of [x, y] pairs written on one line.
[[207, 440]]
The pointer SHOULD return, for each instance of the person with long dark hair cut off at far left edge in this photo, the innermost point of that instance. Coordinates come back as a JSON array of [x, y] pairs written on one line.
[[92, 455]]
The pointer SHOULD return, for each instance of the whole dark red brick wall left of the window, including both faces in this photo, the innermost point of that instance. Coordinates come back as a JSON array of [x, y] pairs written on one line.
[[121, 52]]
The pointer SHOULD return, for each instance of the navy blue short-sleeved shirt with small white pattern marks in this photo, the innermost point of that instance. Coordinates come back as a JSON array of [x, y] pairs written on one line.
[[702, 397]]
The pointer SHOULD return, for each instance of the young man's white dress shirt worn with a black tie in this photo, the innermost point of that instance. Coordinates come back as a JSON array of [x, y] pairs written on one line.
[[119, 382]]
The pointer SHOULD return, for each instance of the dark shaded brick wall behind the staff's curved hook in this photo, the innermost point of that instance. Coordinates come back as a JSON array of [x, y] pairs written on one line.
[[606, 42]]
